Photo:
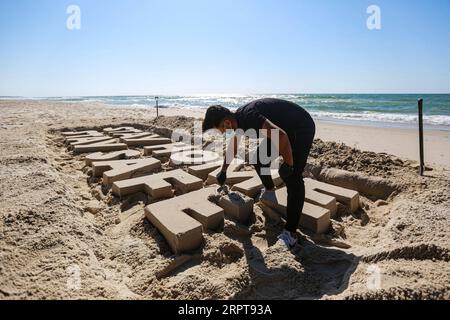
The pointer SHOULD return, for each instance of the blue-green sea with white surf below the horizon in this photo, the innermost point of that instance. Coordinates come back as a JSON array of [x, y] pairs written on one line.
[[391, 110]]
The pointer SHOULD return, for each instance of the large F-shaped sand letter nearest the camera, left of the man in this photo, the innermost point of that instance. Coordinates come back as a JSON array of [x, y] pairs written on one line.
[[182, 219]]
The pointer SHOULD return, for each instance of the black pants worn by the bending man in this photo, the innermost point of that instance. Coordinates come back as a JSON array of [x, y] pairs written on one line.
[[301, 142]]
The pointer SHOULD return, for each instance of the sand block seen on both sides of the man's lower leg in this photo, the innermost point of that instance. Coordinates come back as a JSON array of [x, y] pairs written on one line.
[[313, 218]]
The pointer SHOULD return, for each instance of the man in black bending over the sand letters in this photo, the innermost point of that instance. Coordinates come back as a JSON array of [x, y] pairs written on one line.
[[296, 130]]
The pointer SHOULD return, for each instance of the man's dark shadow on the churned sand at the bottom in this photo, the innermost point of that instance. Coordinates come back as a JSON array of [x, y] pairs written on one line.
[[310, 271]]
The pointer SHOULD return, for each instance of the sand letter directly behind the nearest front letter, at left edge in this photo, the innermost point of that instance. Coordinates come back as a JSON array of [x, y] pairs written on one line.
[[159, 185]]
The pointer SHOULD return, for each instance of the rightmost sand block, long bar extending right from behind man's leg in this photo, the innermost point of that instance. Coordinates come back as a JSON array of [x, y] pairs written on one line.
[[346, 196]]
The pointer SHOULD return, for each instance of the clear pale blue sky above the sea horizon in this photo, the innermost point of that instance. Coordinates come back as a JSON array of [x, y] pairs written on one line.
[[146, 47]]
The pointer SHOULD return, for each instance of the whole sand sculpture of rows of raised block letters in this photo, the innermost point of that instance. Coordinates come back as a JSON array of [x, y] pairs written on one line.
[[182, 219]]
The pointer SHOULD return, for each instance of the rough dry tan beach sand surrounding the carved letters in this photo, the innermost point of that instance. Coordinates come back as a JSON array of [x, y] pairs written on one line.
[[56, 221]]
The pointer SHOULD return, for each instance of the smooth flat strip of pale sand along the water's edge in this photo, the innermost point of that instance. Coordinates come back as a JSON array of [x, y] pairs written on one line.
[[403, 142]]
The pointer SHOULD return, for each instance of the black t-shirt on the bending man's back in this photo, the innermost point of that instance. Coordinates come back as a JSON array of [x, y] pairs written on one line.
[[285, 114]]
